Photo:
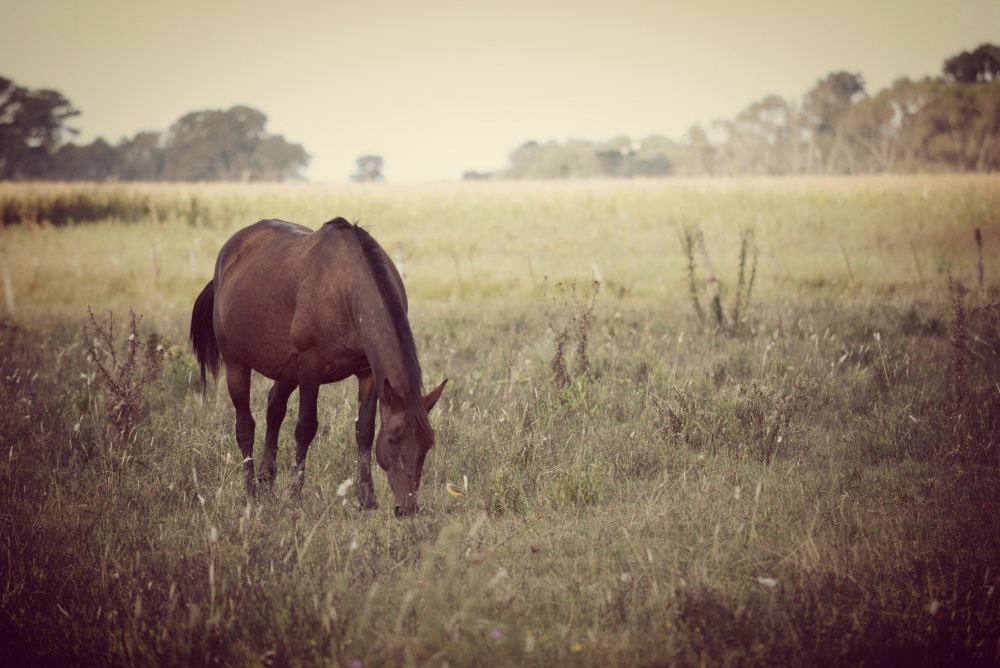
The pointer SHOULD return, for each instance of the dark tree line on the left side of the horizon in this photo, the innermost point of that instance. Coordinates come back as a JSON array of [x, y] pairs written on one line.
[[210, 145]]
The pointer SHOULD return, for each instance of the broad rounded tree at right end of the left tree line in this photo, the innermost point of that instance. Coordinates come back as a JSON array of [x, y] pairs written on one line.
[[229, 145]]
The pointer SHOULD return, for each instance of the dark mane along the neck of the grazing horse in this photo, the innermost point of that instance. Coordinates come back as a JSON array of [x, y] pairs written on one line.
[[385, 281]]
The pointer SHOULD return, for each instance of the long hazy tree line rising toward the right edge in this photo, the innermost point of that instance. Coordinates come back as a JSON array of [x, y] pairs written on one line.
[[947, 123]]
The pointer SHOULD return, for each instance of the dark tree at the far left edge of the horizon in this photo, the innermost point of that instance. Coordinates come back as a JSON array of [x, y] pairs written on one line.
[[32, 125]]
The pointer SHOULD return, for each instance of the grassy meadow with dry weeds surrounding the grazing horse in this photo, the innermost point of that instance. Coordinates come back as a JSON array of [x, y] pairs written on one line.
[[806, 473]]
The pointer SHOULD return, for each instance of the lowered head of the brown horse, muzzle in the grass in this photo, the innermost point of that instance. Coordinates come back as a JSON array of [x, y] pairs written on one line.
[[402, 444]]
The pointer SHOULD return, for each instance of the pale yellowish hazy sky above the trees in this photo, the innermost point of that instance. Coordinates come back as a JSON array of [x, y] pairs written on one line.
[[437, 87]]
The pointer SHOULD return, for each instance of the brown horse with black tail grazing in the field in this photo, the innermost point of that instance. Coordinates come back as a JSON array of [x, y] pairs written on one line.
[[308, 308]]
